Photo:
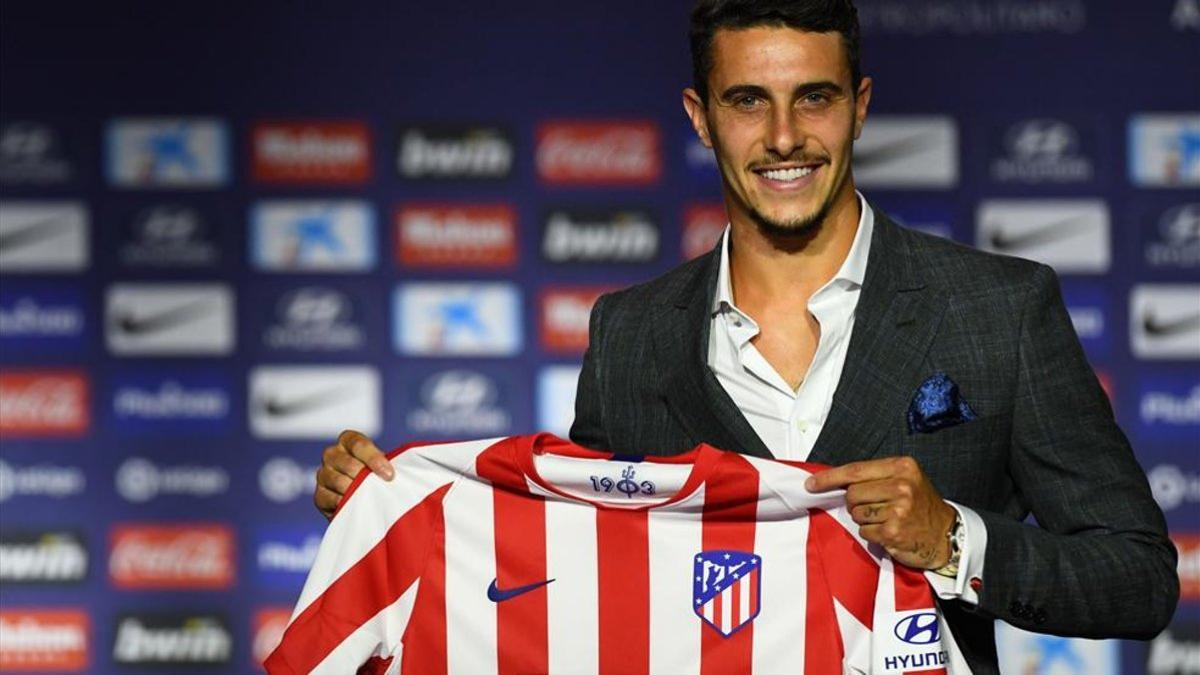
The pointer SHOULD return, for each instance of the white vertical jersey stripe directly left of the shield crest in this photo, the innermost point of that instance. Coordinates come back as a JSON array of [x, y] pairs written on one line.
[[675, 540]]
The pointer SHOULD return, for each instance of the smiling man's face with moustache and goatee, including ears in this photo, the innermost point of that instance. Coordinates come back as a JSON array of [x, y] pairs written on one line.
[[782, 116]]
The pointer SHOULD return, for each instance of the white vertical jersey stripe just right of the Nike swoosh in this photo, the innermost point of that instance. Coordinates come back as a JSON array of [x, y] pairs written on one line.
[[573, 608]]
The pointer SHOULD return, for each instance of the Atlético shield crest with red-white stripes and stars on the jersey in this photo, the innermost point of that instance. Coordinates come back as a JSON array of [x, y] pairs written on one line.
[[727, 589]]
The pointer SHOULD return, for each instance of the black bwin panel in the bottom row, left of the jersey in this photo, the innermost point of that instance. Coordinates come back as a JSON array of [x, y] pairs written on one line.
[[172, 641]]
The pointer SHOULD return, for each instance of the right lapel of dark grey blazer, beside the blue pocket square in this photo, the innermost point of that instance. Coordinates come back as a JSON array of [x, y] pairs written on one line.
[[895, 325]]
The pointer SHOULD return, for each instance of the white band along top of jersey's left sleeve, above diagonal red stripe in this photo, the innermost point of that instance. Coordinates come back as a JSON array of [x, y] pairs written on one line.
[[377, 505]]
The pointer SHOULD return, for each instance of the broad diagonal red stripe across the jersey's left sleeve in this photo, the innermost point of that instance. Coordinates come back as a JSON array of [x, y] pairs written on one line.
[[374, 583]]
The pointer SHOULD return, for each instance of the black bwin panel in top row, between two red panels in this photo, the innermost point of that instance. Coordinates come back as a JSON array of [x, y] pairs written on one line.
[[465, 153]]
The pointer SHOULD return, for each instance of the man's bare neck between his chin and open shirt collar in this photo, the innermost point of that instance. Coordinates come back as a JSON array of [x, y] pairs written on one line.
[[772, 268]]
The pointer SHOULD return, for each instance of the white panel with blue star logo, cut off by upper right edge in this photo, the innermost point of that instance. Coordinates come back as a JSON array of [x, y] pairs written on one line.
[[1165, 151]]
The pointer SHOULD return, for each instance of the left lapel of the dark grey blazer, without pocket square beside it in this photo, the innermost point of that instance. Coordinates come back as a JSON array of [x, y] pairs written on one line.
[[692, 391]]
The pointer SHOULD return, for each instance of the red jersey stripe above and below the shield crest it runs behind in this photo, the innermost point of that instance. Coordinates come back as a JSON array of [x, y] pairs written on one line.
[[729, 524]]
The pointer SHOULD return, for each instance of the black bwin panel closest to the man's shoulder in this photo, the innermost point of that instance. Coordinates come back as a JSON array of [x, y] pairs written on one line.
[[593, 236]]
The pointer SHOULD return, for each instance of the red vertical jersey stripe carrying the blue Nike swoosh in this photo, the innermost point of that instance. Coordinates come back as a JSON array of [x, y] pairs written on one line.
[[520, 536]]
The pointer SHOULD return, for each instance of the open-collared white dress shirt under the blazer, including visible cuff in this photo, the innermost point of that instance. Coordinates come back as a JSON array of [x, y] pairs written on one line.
[[788, 421]]
